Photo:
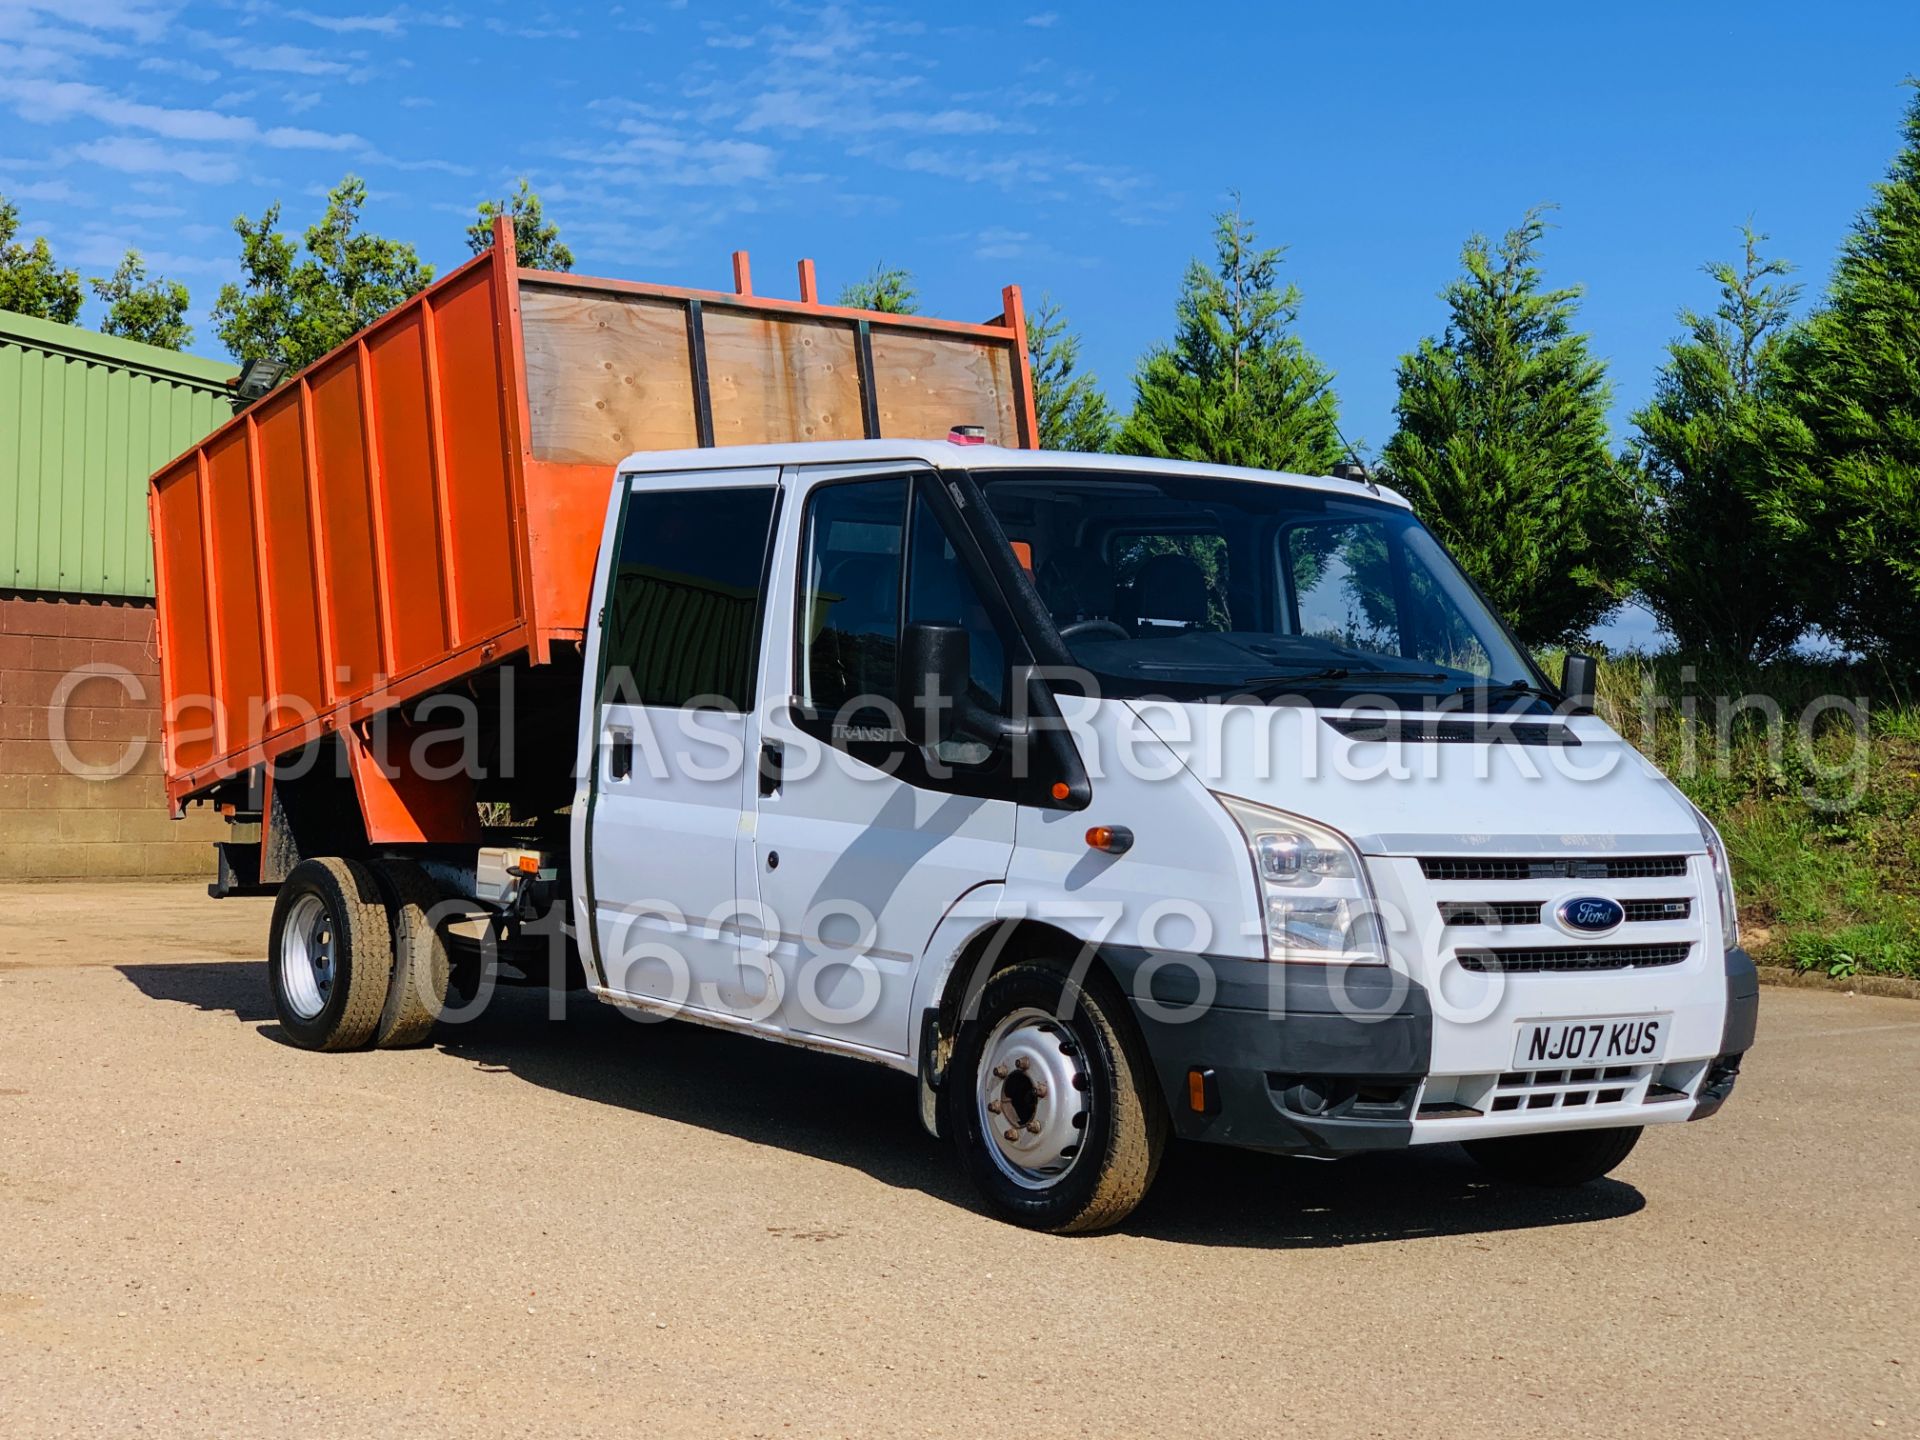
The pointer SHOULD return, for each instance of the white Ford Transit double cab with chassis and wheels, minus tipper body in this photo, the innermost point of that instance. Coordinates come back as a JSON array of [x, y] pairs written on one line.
[[1113, 800]]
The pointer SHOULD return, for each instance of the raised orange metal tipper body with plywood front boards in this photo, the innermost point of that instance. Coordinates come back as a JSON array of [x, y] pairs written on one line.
[[416, 506]]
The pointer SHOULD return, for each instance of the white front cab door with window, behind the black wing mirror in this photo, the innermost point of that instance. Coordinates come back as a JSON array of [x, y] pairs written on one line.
[[863, 840]]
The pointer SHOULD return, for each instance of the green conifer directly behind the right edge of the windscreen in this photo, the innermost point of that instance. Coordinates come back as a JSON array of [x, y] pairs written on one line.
[[1502, 444]]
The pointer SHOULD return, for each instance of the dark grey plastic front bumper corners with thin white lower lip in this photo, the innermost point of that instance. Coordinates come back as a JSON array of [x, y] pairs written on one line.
[[1324, 1061]]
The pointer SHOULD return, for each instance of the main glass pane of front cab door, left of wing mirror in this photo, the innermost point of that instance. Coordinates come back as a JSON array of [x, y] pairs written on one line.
[[852, 600]]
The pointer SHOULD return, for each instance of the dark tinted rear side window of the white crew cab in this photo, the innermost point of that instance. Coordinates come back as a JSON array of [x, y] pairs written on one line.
[[683, 617]]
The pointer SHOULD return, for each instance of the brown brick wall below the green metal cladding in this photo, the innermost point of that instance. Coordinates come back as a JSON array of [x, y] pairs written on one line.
[[57, 825]]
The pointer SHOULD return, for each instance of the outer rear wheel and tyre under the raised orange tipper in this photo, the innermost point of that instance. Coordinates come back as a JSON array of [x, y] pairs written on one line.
[[329, 955]]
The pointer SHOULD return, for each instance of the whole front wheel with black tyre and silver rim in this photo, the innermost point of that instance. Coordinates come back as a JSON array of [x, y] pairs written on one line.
[[1059, 1122]]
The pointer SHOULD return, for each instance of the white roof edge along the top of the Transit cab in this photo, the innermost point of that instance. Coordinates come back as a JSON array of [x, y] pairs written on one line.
[[949, 456]]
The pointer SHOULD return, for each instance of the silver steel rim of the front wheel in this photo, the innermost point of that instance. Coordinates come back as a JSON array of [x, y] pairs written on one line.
[[1034, 1099]]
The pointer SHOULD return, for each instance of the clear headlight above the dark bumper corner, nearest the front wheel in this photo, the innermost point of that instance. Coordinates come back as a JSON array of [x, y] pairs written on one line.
[[1312, 890]]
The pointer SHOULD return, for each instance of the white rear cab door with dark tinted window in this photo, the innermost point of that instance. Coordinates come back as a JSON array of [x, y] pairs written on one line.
[[679, 673]]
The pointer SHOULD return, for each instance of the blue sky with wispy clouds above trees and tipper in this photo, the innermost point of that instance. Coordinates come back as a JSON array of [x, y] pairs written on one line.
[[1072, 149]]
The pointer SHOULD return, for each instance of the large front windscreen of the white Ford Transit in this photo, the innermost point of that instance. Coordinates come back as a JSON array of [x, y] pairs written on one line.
[[1195, 587]]
